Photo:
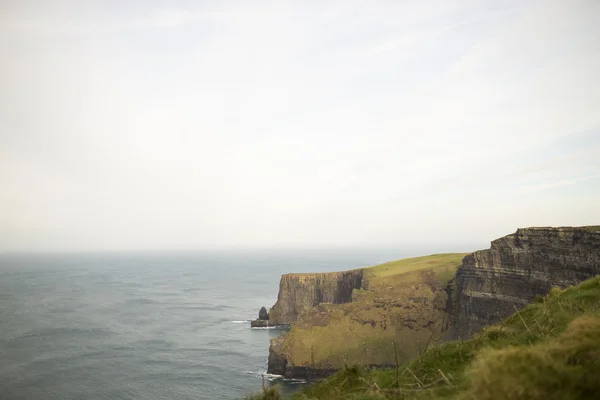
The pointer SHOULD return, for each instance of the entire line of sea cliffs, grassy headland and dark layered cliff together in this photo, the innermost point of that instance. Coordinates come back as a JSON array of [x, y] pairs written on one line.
[[367, 316]]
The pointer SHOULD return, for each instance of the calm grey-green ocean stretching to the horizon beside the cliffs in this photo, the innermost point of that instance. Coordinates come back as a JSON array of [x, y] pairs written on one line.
[[146, 325]]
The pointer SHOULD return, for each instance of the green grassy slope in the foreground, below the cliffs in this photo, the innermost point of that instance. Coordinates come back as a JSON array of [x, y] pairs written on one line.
[[550, 350]]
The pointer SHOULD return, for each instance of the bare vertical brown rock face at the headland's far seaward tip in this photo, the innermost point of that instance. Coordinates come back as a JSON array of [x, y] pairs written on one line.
[[301, 292]]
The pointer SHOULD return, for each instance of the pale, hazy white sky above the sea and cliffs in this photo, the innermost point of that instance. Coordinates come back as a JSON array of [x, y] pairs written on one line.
[[291, 124]]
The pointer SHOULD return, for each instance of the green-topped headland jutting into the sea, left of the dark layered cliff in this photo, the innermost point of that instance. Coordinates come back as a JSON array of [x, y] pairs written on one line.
[[402, 302]]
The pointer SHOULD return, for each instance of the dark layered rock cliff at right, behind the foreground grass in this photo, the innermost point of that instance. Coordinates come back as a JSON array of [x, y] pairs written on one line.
[[492, 283]]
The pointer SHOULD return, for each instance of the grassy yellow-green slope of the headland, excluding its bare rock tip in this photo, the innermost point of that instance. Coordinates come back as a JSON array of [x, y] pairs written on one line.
[[403, 301]]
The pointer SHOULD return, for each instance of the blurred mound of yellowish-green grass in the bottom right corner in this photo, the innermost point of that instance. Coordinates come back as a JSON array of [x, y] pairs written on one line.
[[566, 367]]
